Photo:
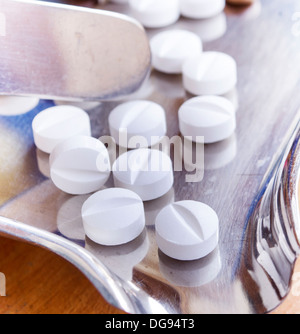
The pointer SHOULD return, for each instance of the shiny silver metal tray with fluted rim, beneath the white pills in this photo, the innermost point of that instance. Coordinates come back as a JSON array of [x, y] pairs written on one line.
[[250, 180]]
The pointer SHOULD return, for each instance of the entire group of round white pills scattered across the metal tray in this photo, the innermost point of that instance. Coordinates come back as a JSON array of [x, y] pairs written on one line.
[[80, 164]]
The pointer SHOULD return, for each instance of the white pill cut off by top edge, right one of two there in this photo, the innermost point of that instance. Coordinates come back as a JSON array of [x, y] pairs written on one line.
[[201, 9]]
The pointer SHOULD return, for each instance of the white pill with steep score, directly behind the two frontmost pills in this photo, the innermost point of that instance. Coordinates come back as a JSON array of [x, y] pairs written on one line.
[[147, 172]]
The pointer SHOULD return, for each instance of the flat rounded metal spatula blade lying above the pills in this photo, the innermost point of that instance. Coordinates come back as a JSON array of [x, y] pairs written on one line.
[[70, 53]]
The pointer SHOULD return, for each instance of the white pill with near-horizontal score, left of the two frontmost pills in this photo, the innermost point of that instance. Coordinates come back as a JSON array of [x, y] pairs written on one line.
[[113, 216]]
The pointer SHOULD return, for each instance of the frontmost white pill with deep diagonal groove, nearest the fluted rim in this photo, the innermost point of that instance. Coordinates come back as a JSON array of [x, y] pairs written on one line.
[[187, 230]]
